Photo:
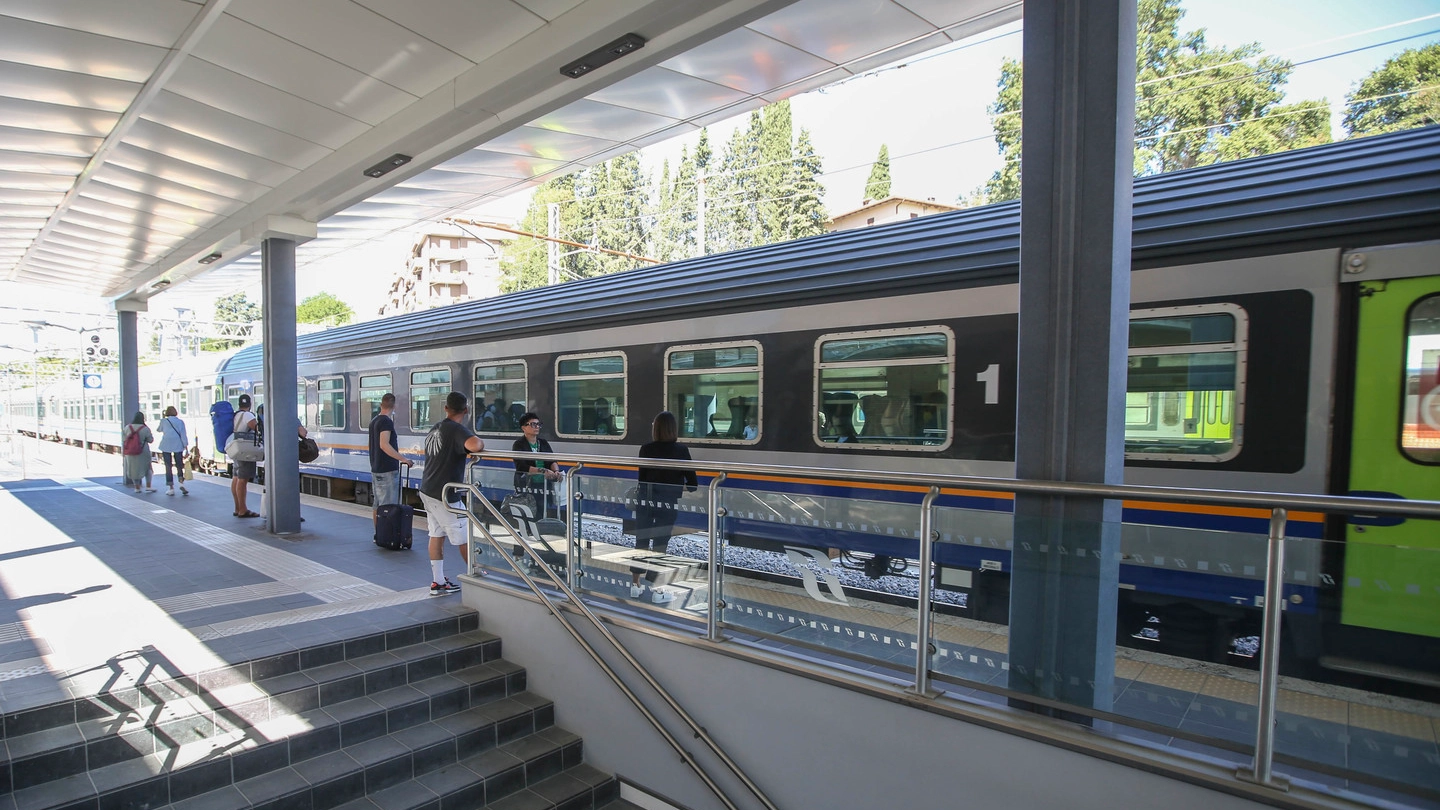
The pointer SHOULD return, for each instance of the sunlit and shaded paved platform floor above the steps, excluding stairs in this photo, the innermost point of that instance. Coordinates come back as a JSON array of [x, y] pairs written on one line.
[[106, 589]]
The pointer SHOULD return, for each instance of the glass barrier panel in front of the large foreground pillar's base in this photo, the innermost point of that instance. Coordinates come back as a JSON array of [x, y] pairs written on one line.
[[1186, 619]]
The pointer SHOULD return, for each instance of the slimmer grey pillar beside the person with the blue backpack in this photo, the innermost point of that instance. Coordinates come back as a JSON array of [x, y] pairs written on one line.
[[282, 416]]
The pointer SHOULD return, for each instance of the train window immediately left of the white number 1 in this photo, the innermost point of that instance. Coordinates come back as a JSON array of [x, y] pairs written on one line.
[[886, 388]]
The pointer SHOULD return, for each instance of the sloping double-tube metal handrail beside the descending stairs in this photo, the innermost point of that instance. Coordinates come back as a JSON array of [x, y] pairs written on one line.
[[473, 494]]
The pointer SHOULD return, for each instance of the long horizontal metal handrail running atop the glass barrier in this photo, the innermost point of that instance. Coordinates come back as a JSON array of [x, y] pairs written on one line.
[[1291, 502]]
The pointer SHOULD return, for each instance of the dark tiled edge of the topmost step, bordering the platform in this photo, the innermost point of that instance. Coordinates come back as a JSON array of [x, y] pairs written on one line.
[[100, 707]]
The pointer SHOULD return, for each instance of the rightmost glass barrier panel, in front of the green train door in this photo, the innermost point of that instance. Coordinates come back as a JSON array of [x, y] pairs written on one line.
[[1362, 657]]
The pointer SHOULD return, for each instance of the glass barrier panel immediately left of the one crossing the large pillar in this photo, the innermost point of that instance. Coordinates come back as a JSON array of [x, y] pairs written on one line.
[[829, 574]]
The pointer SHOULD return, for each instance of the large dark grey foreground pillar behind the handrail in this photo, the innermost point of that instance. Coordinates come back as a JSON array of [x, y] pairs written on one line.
[[1075, 293]]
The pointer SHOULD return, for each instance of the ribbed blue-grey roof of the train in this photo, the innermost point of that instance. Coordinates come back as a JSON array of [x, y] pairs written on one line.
[[1366, 192]]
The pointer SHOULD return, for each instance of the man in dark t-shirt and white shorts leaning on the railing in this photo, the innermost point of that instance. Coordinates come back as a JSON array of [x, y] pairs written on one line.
[[447, 448]]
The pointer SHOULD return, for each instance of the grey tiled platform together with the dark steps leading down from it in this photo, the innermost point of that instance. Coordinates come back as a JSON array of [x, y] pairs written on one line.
[[159, 652]]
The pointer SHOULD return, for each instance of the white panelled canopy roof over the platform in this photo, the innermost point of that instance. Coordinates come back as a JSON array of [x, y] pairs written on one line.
[[149, 143]]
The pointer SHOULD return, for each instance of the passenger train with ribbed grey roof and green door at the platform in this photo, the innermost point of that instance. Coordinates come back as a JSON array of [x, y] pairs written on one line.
[[1285, 337]]
